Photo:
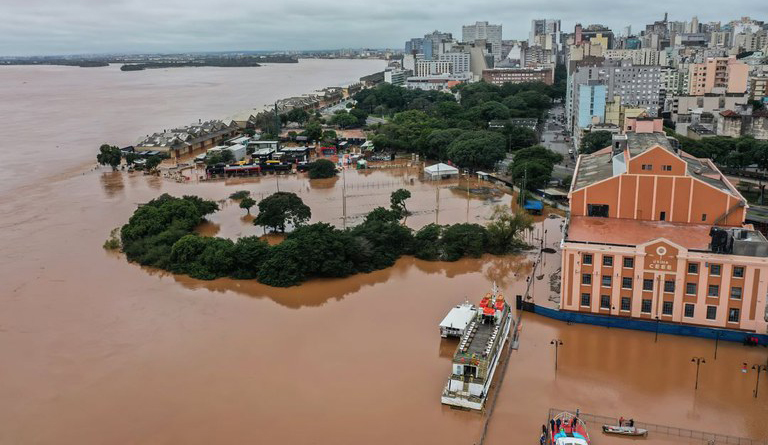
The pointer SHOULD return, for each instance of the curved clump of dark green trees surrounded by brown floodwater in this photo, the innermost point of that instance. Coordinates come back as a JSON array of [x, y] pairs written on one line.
[[161, 234]]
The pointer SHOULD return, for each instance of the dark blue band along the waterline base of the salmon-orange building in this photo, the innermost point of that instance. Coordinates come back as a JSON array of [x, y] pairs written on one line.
[[645, 325]]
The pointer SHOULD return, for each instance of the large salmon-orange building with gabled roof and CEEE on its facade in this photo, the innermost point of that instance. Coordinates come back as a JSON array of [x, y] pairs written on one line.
[[655, 233]]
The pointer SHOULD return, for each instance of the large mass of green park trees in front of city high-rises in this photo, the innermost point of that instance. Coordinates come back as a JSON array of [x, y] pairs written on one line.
[[428, 122]]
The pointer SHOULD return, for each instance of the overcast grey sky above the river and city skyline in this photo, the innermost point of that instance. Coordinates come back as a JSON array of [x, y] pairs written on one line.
[[35, 27]]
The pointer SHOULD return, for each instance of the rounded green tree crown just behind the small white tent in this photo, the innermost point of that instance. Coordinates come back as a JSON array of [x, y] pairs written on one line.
[[477, 149]]
